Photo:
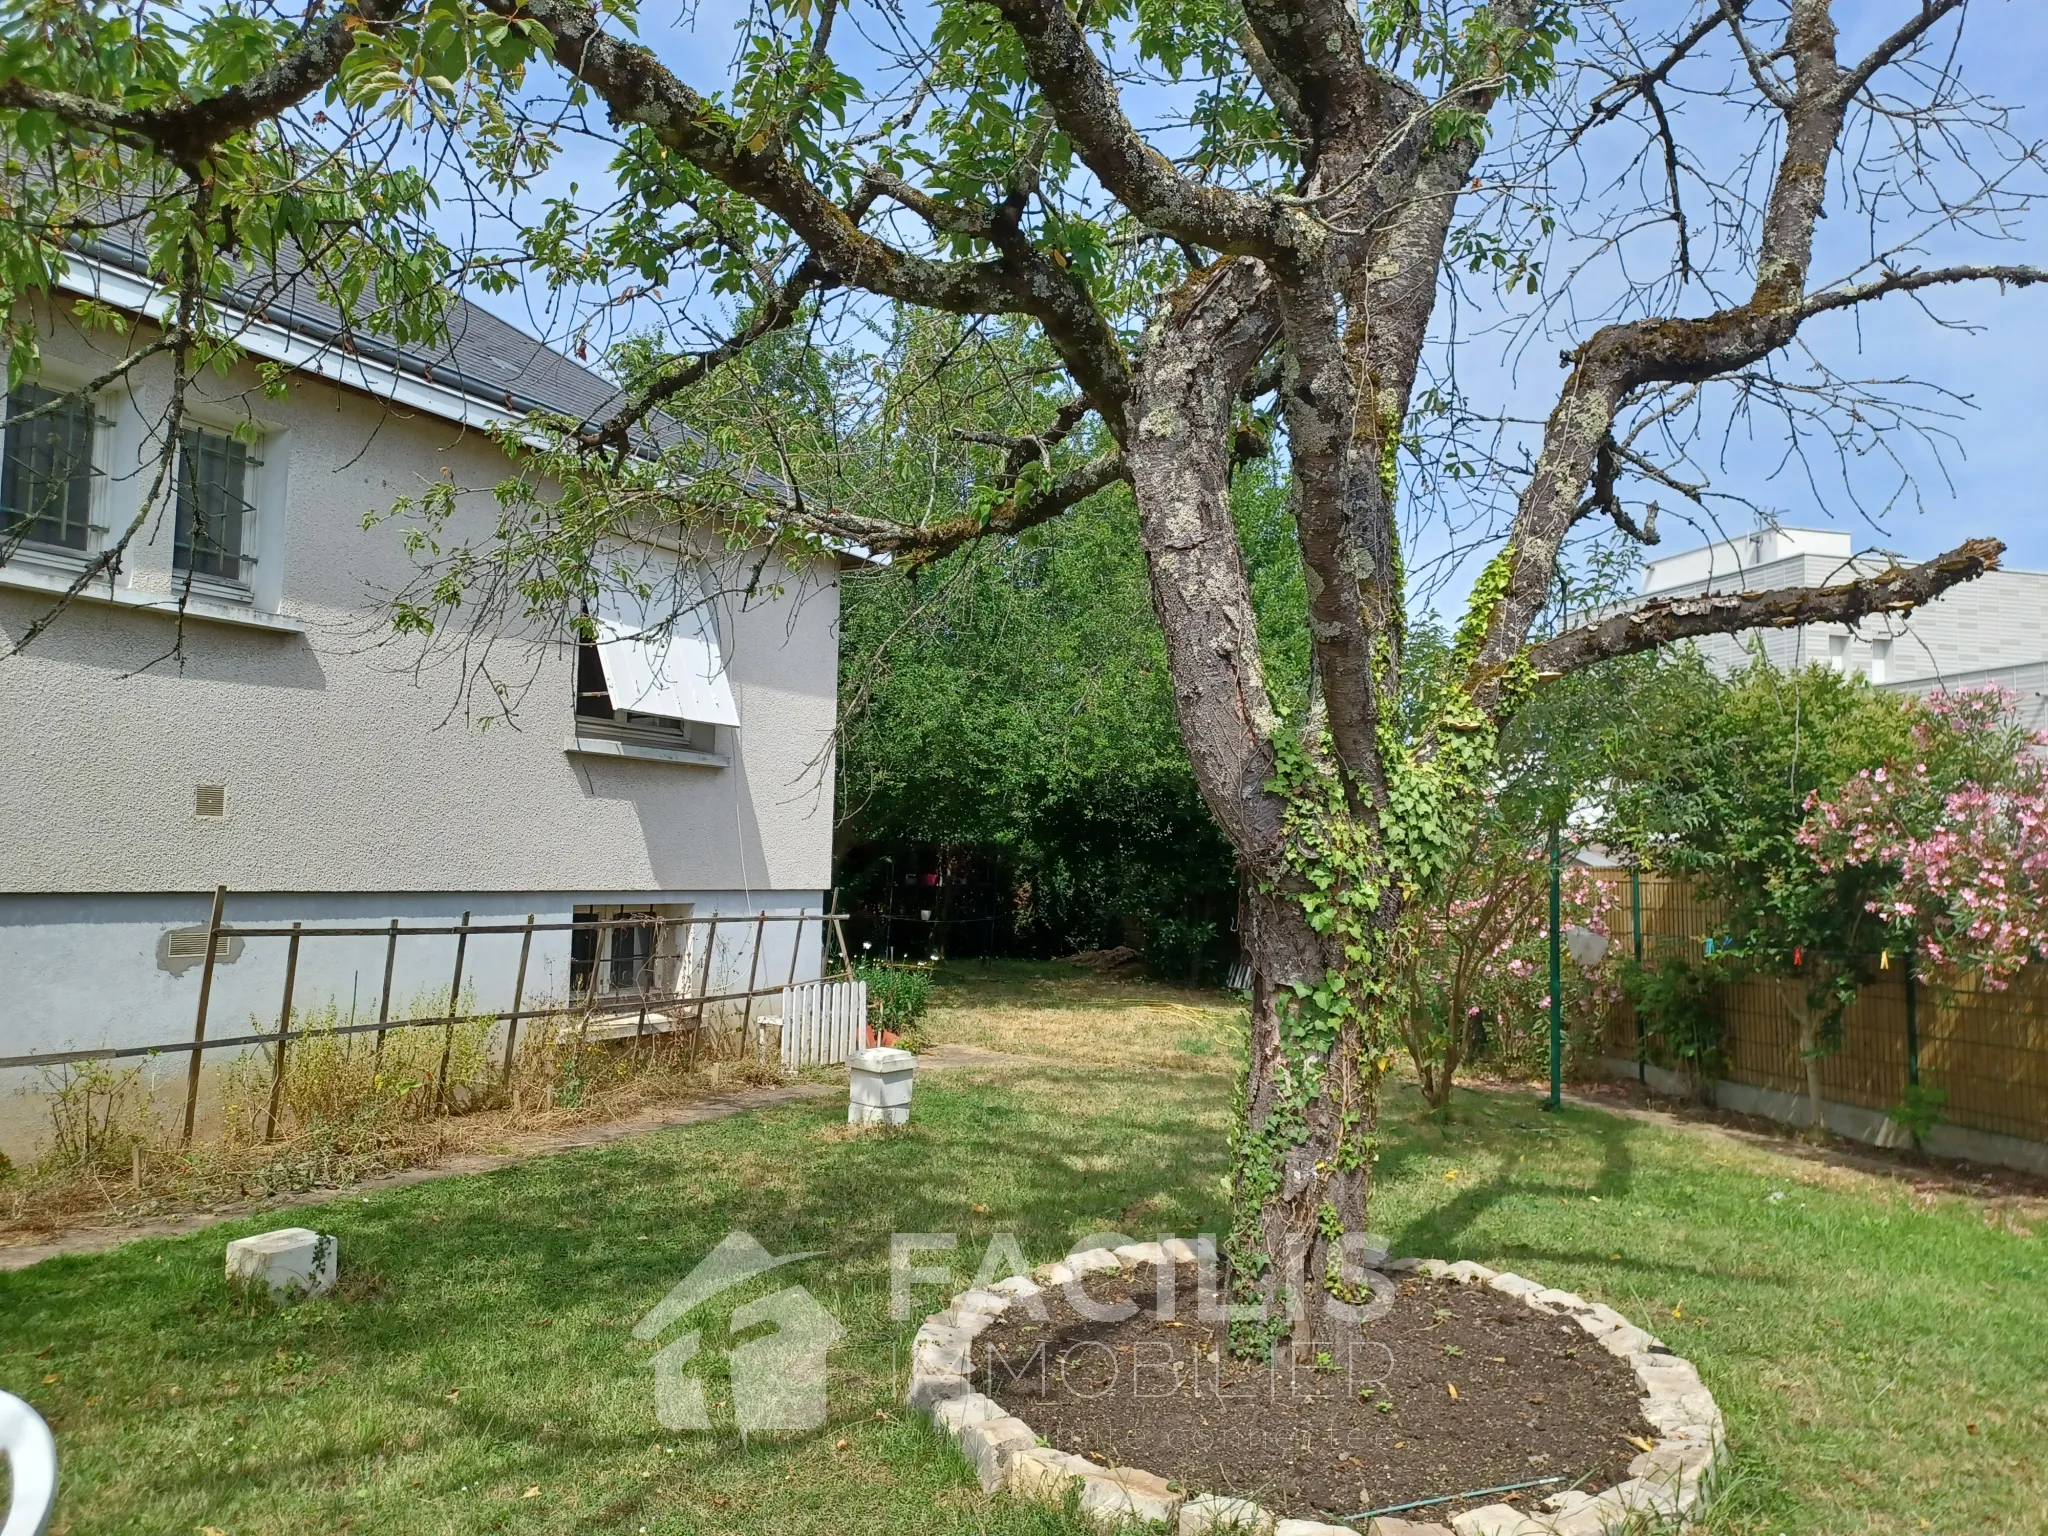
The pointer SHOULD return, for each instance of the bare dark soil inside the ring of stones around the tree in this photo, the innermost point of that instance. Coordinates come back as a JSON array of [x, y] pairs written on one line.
[[1455, 1390]]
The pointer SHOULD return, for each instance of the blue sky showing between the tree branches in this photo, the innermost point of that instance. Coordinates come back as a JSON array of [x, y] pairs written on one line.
[[1996, 368]]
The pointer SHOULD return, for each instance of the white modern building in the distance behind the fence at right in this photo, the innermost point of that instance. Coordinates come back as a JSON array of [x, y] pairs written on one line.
[[1986, 632]]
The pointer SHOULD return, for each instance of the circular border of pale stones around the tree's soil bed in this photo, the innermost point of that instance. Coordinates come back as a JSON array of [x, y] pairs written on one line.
[[1666, 1484]]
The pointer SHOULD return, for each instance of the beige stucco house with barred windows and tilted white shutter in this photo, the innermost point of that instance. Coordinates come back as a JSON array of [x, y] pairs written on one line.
[[302, 759]]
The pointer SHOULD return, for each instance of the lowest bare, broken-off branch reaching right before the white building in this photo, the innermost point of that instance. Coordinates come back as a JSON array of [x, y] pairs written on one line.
[[1725, 613]]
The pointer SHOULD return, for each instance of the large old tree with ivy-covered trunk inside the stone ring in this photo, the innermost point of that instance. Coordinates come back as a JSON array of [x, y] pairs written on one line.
[[1277, 245]]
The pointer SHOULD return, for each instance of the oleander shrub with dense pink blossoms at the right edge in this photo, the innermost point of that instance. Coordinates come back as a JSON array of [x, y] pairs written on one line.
[[1959, 835]]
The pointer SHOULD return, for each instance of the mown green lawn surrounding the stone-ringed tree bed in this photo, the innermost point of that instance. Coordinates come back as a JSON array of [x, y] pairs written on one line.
[[482, 1349]]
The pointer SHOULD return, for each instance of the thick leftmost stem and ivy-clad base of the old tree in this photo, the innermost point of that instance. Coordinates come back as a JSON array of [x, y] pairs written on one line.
[[1304, 1140]]
